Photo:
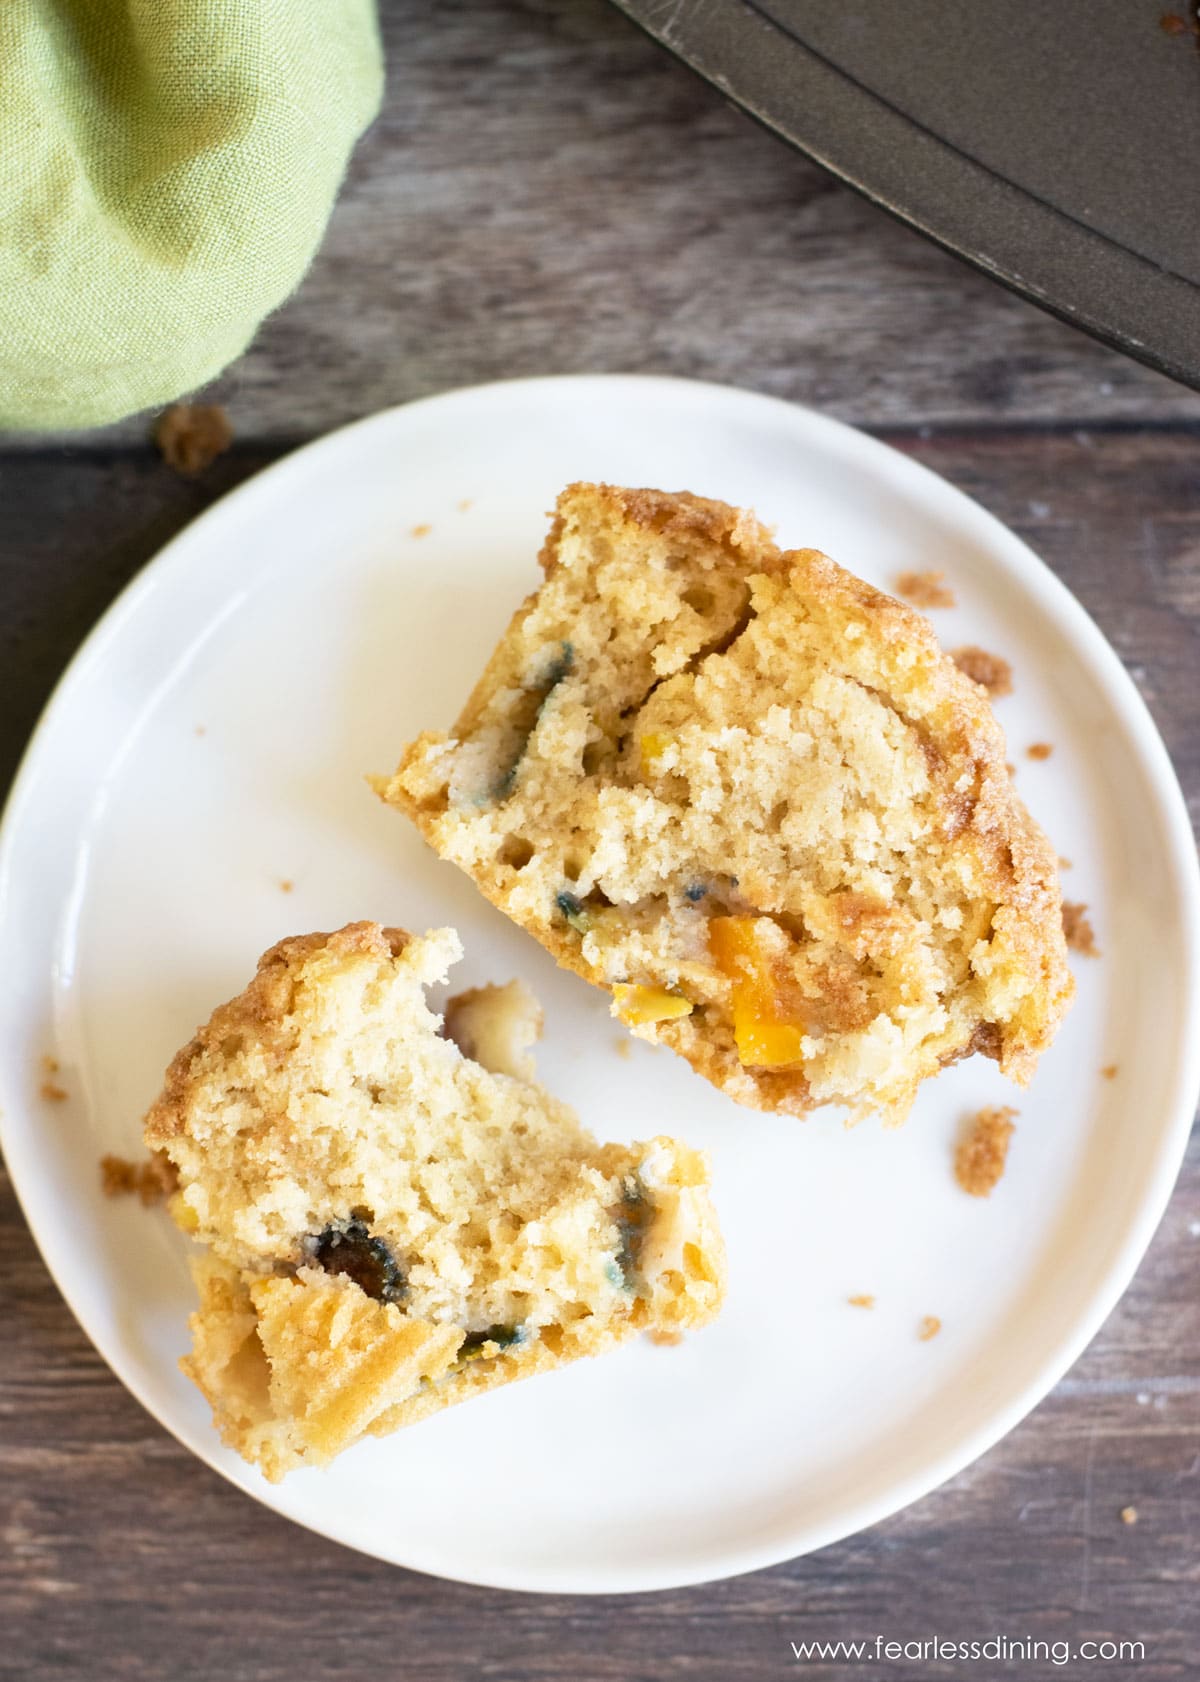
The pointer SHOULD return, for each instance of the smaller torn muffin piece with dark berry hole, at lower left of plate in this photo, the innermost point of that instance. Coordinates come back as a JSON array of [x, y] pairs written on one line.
[[393, 1225]]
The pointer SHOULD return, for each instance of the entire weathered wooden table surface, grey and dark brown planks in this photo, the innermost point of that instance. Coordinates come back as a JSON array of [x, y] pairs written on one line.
[[548, 193]]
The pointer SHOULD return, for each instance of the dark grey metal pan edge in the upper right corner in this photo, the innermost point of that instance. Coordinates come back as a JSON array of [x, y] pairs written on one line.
[[1053, 144]]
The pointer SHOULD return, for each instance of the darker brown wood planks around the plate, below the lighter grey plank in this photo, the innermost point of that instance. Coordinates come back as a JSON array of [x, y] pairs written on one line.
[[124, 1558]]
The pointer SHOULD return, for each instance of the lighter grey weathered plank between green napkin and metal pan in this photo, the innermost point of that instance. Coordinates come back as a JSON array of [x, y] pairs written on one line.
[[546, 191]]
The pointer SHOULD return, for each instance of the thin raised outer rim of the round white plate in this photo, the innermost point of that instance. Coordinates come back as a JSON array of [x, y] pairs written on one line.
[[1172, 820]]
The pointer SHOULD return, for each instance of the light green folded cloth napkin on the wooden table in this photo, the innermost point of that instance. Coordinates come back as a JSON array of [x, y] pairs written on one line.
[[167, 169]]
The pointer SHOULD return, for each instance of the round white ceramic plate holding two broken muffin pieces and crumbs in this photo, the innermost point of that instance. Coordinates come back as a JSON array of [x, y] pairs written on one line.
[[210, 743]]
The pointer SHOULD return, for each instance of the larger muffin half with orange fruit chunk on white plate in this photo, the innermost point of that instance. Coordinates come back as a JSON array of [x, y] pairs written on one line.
[[751, 796]]
